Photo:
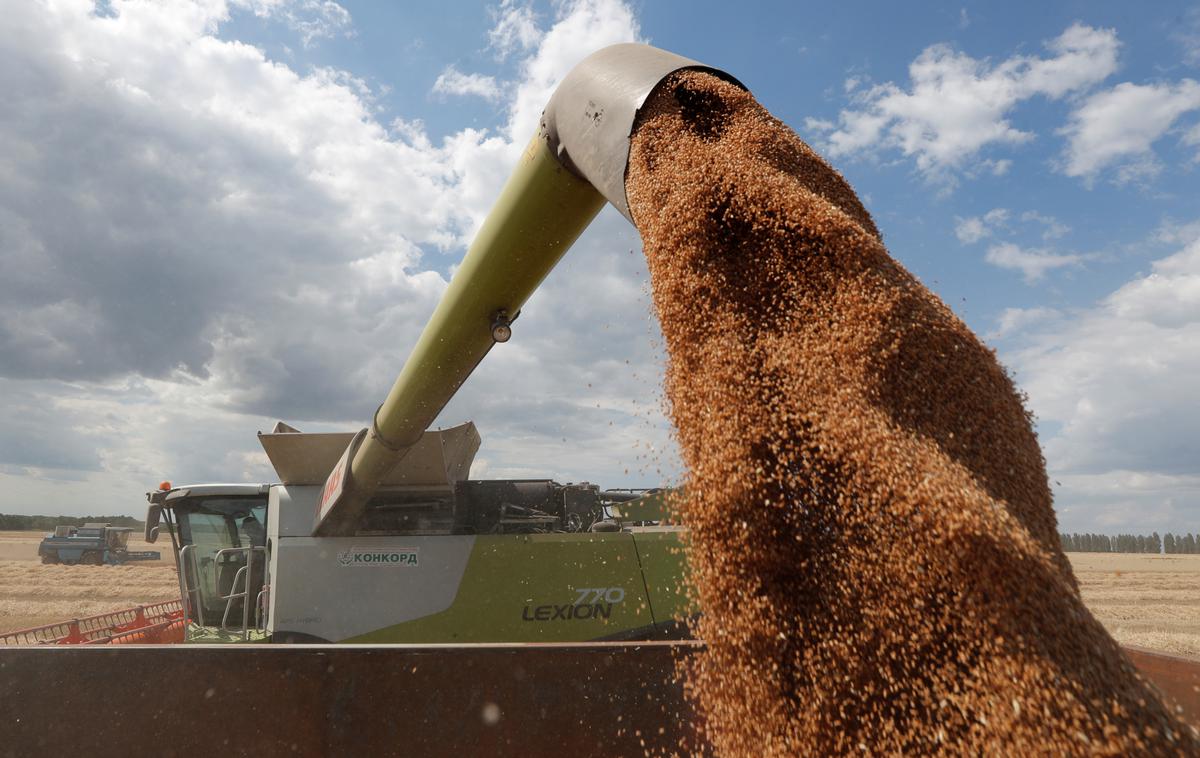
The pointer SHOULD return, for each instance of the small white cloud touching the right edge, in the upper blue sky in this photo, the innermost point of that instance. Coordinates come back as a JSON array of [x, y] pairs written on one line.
[[1119, 127]]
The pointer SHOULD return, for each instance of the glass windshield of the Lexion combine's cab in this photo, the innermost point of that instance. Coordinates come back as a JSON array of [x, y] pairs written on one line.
[[207, 527]]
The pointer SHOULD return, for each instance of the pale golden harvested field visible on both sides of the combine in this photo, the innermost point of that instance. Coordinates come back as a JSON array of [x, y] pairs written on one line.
[[1149, 601]]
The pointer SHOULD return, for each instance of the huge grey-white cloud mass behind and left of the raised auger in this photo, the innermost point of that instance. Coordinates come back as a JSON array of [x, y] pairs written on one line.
[[208, 240]]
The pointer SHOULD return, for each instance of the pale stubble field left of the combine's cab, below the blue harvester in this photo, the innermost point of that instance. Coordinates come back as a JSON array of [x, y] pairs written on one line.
[[33, 594]]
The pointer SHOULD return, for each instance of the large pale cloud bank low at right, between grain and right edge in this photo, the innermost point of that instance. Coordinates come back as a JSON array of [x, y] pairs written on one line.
[[1115, 384]]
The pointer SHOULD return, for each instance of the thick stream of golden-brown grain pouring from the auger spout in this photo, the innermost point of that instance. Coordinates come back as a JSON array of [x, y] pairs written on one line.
[[872, 534]]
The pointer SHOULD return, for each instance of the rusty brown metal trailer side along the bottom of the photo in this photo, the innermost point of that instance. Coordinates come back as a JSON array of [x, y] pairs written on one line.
[[575, 700]]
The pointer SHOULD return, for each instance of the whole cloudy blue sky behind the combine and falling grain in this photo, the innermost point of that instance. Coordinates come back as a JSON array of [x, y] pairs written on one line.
[[215, 214]]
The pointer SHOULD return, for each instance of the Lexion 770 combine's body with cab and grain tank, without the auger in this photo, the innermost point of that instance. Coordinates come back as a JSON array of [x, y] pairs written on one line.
[[435, 558]]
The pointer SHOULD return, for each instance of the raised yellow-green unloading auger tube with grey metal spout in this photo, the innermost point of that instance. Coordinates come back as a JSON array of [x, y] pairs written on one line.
[[573, 166]]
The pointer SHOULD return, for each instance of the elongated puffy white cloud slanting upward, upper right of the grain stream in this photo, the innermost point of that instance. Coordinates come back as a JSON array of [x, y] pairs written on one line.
[[957, 106]]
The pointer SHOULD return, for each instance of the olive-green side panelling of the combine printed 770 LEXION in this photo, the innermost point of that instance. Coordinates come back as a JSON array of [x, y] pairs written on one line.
[[553, 588]]
